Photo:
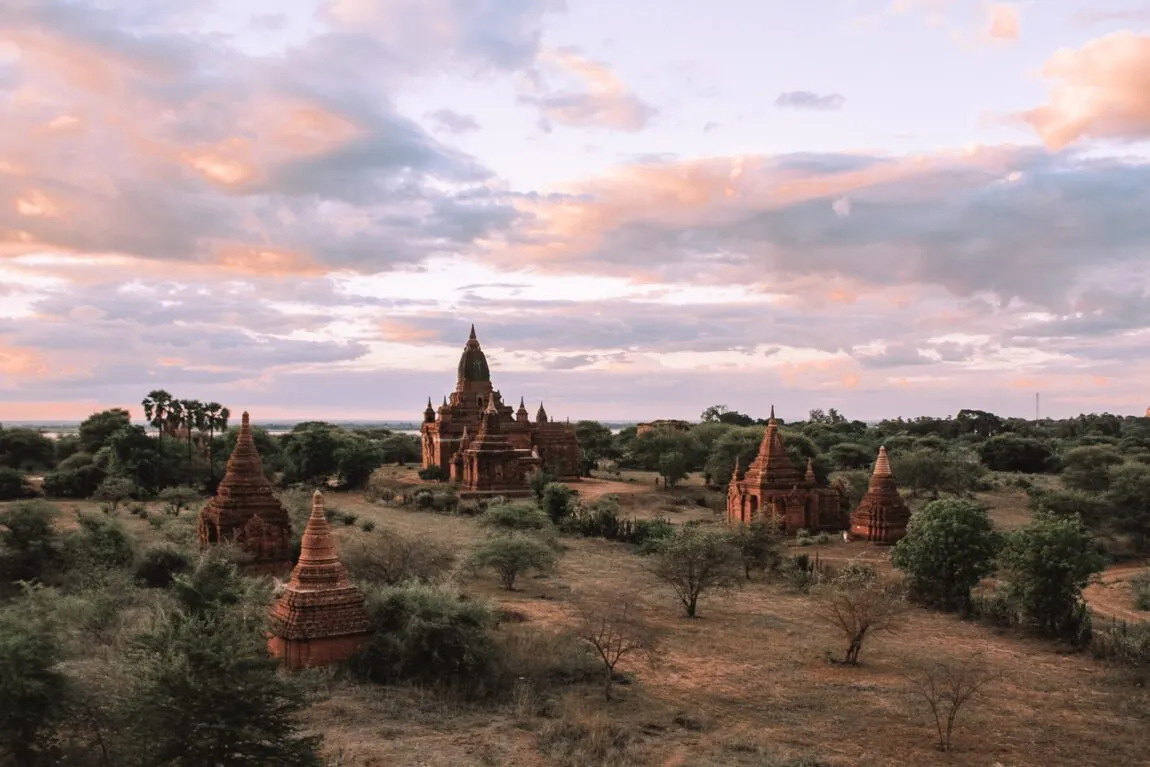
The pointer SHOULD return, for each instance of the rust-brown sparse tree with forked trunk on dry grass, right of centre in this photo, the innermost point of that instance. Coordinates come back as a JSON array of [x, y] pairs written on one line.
[[858, 604]]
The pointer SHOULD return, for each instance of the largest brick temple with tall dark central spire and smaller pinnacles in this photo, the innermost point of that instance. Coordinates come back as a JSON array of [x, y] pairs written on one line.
[[451, 434]]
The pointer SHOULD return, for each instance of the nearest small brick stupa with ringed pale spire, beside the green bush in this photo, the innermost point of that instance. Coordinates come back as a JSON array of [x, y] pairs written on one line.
[[320, 619]]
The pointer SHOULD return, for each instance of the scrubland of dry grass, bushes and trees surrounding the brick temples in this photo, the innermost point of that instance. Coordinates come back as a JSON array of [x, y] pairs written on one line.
[[616, 622]]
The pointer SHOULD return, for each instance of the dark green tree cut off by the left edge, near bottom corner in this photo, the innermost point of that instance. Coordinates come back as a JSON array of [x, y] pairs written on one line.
[[33, 687]]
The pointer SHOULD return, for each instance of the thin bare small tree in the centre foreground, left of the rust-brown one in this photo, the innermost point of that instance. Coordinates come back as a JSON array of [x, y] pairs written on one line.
[[615, 627]]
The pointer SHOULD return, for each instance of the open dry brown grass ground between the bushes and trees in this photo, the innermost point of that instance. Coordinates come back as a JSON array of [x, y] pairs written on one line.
[[747, 684]]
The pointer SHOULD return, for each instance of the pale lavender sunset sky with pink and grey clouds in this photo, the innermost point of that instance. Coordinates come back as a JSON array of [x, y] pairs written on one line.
[[891, 208]]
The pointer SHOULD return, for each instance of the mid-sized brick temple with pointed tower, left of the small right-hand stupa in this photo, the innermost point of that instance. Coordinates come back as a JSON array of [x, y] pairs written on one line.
[[773, 485]]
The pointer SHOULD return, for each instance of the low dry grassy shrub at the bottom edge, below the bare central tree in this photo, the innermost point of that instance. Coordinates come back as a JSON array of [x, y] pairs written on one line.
[[586, 737]]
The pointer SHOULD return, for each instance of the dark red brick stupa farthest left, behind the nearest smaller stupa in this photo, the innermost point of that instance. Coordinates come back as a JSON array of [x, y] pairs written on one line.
[[247, 512]]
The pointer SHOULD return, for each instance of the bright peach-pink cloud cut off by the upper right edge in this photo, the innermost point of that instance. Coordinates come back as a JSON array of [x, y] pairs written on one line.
[[1102, 93]]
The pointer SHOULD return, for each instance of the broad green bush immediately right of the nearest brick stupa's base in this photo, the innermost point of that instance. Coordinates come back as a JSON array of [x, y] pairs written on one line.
[[428, 635]]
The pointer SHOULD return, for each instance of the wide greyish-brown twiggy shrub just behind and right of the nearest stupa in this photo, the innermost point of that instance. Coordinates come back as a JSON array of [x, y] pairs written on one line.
[[390, 558]]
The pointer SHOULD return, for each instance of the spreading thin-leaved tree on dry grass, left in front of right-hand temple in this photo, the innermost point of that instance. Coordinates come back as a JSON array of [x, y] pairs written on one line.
[[693, 563]]
